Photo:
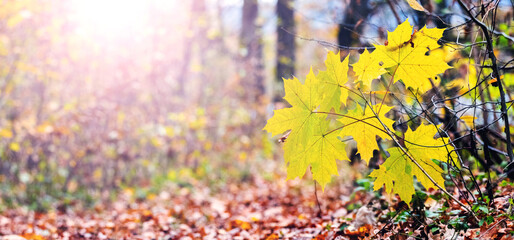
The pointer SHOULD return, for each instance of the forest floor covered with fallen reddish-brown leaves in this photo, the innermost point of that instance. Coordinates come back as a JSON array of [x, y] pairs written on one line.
[[265, 209]]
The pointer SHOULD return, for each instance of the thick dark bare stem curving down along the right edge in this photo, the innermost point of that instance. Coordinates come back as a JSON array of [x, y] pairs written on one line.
[[496, 74]]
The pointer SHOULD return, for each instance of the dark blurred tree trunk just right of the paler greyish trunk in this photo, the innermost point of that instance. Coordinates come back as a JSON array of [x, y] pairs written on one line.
[[285, 39]]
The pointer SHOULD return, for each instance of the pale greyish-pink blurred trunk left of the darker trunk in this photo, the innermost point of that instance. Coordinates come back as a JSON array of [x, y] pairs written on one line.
[[251, 51]]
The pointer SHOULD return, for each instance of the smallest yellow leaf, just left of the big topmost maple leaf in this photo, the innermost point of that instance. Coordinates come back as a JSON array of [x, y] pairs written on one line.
[[367, 68]]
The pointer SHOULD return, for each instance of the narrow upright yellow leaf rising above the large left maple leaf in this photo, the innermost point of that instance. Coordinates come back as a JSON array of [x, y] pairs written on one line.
[[332, 82]]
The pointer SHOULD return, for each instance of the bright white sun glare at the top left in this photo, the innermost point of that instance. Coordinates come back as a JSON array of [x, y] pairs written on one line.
[[110, 18]]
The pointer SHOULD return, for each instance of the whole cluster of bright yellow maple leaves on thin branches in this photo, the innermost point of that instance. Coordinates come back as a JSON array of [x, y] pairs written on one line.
[[316, 140]]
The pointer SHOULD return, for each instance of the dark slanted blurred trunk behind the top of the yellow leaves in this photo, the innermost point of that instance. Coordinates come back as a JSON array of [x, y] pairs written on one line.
[[354, 13]]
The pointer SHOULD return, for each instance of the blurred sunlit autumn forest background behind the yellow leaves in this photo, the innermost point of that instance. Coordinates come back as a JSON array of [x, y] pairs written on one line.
[[99, 97]]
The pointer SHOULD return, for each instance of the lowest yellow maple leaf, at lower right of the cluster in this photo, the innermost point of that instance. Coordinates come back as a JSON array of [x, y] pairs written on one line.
[[397, 172]]
